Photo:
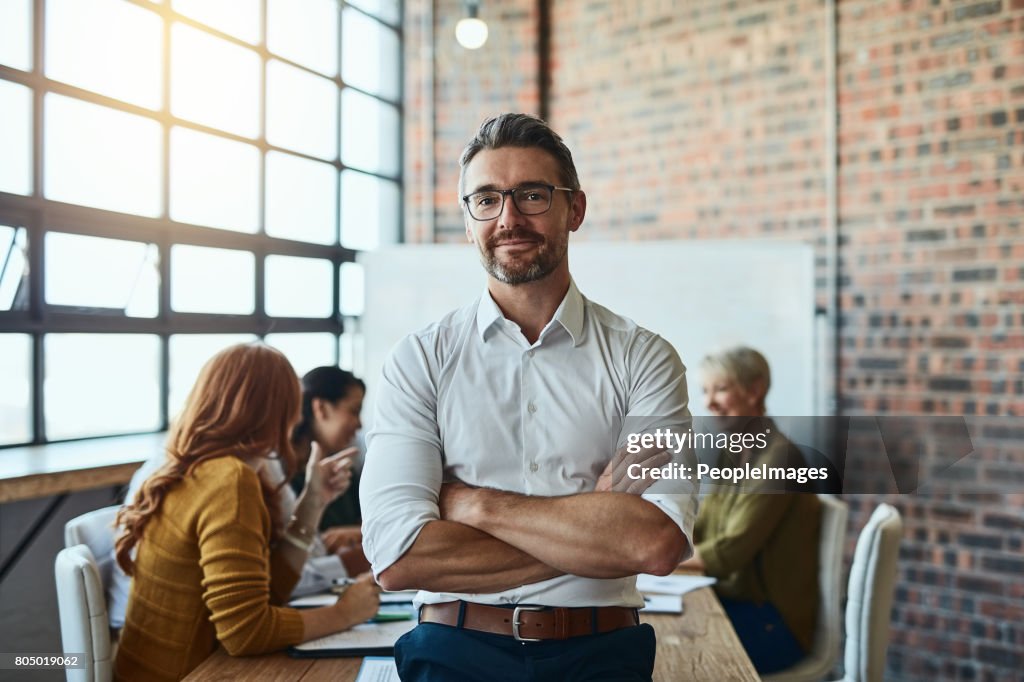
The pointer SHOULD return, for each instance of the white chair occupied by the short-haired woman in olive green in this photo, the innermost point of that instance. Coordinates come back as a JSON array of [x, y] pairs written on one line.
[[825, 651]]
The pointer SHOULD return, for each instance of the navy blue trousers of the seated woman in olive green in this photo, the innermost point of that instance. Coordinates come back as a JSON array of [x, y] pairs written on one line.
[[769, 642]]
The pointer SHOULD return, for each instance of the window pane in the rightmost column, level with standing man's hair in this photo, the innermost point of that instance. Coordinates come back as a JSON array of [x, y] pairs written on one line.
[[369, 134]]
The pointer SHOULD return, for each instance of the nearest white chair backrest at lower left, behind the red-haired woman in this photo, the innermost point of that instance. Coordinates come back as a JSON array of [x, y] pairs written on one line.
[[82, 603]]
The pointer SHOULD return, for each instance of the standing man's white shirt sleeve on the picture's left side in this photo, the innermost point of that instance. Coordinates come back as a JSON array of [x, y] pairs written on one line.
[[402, 477]]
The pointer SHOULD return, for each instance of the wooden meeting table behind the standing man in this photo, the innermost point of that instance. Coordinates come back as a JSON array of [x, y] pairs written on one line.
[[701, 645]]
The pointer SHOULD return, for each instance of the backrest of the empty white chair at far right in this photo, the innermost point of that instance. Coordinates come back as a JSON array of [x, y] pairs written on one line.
[[869, 608]]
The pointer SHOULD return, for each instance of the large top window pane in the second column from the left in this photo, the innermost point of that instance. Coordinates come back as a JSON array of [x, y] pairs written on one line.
[[107, 47]]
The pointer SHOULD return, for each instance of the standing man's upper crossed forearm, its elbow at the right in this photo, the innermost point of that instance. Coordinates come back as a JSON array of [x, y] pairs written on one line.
[[593, 535]]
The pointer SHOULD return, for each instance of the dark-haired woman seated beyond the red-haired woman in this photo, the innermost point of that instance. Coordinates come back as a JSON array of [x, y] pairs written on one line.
[[332, 402]]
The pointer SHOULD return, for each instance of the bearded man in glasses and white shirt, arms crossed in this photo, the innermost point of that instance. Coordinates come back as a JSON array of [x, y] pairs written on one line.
[[492, 481]]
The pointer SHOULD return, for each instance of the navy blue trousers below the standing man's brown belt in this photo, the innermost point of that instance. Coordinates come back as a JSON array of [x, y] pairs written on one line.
[[434, 653]]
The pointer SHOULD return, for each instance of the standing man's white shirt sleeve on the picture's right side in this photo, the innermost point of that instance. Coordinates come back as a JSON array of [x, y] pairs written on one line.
[[659, 400]]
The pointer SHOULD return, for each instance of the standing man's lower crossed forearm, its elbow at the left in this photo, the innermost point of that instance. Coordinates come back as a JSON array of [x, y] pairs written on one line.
[[453, 558]]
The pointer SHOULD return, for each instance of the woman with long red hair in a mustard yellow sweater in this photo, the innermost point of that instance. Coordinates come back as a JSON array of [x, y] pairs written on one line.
[[214, 556]]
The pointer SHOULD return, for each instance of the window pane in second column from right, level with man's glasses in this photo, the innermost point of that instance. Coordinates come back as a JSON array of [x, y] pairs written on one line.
[[302, 199]]
